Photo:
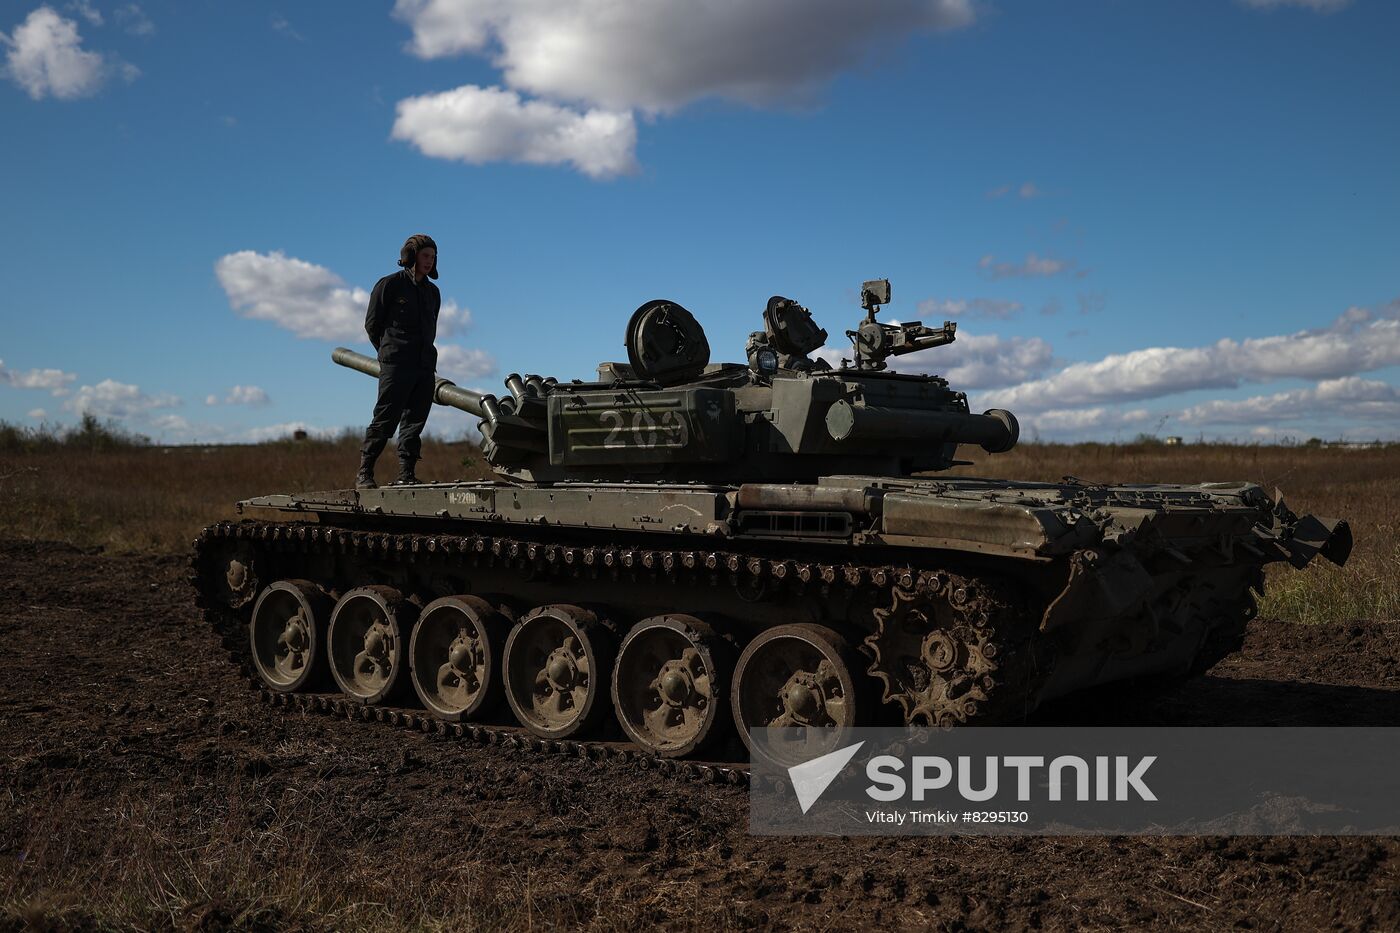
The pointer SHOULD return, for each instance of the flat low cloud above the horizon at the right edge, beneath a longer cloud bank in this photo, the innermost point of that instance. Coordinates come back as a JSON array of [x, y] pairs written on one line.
[[1350, 397]]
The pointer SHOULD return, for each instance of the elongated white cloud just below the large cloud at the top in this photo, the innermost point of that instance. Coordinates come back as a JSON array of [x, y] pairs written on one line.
[[486, 124]]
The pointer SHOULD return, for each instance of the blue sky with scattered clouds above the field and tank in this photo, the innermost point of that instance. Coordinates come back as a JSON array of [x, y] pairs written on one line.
[[1174, 216]]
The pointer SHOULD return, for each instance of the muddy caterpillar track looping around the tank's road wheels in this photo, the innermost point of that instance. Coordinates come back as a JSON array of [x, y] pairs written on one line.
[[887, 585]]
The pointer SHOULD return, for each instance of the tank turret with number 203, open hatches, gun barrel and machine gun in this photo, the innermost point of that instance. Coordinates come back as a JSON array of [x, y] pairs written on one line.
[[668, 414]]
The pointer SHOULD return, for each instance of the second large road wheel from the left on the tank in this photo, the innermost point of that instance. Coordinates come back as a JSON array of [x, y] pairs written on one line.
[[370, 644]]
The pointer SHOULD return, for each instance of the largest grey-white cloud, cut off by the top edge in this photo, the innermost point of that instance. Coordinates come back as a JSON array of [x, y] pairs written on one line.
[[661, 55]]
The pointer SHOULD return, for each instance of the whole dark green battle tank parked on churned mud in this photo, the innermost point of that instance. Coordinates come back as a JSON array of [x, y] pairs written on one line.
[[678, 553]]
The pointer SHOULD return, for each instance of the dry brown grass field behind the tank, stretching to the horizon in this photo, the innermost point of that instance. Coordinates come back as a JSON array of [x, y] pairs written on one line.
[[97, 491]]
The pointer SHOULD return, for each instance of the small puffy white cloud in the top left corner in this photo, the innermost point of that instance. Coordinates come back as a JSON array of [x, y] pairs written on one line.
[[45, 57]]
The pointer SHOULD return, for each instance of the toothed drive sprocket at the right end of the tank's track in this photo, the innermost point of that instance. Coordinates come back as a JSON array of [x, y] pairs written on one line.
[[954, 651]]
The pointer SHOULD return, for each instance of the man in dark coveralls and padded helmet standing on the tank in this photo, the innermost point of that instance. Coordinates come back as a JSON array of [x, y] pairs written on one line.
[[402, 327]]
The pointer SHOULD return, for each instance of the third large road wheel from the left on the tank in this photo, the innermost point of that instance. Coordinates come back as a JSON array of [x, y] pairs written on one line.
[[456, 658]]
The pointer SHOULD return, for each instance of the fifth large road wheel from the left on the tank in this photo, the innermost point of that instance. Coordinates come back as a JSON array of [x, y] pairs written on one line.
[[671, 684]]
